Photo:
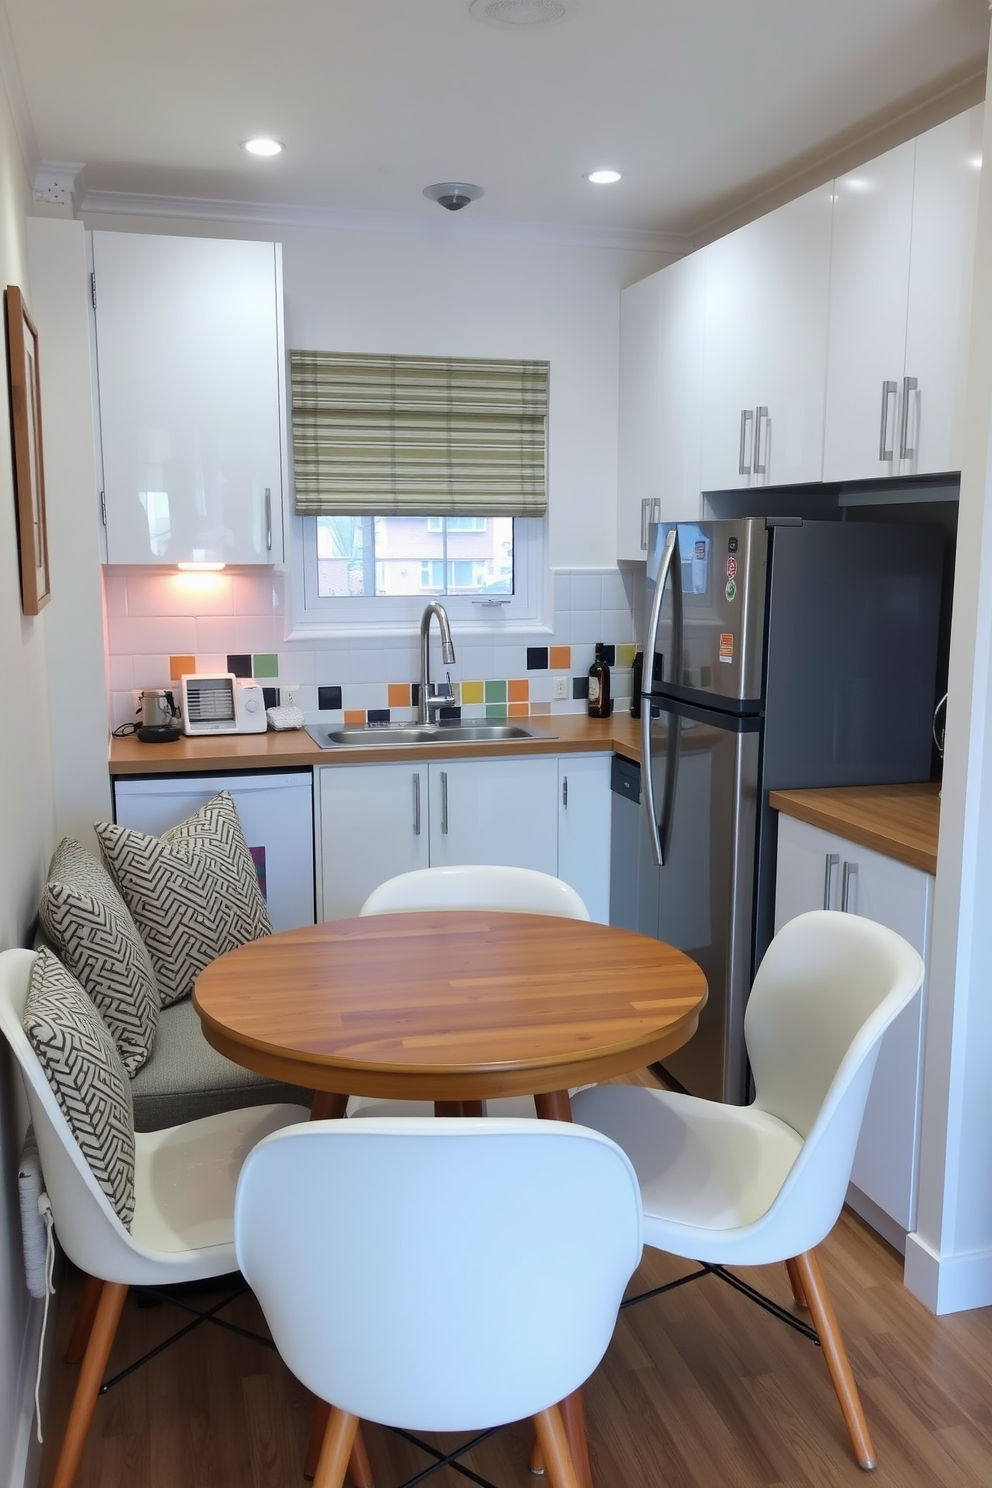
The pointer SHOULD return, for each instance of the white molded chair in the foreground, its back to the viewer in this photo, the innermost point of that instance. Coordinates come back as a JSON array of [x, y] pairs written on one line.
[[441, 1277]]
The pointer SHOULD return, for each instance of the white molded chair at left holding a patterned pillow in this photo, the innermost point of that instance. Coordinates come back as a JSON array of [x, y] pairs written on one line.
[[184, 1215]]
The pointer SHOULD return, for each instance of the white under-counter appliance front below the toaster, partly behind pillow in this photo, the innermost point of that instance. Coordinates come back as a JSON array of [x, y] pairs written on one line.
[[277, 819]]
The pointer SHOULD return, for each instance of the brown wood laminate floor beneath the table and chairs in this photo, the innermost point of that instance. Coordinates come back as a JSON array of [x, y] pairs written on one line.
[[700, 1389]]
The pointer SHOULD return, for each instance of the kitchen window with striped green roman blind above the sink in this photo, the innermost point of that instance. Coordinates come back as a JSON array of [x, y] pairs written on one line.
[[419, 478]]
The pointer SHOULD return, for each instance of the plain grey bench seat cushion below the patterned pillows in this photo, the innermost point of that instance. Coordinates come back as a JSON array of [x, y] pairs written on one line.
[[185, 1078]]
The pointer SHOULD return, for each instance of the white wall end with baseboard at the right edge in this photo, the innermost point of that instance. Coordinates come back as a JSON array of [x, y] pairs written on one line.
[[950, 1257]]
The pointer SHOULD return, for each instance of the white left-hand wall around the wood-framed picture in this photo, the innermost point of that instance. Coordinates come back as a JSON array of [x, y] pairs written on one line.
[[26, 841]]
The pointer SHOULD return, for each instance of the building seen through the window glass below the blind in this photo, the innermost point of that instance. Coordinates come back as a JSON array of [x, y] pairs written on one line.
[[414, 556]]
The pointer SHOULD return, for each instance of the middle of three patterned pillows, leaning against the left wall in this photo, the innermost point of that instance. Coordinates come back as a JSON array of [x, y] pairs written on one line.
[[94, 935]]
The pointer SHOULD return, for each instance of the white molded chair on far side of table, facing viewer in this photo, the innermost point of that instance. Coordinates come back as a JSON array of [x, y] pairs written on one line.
[[515, 891]]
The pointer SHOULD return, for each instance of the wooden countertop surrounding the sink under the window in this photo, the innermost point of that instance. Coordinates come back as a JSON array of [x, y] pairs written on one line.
[[575, 733]]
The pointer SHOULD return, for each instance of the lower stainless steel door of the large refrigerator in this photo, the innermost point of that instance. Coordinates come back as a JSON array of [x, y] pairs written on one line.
[[707, 886]]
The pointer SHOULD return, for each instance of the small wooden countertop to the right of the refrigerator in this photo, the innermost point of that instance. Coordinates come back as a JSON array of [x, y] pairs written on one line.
[[902, 822]]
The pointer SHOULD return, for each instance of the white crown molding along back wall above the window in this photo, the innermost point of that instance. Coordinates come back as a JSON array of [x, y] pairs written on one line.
[[393, 224]]
